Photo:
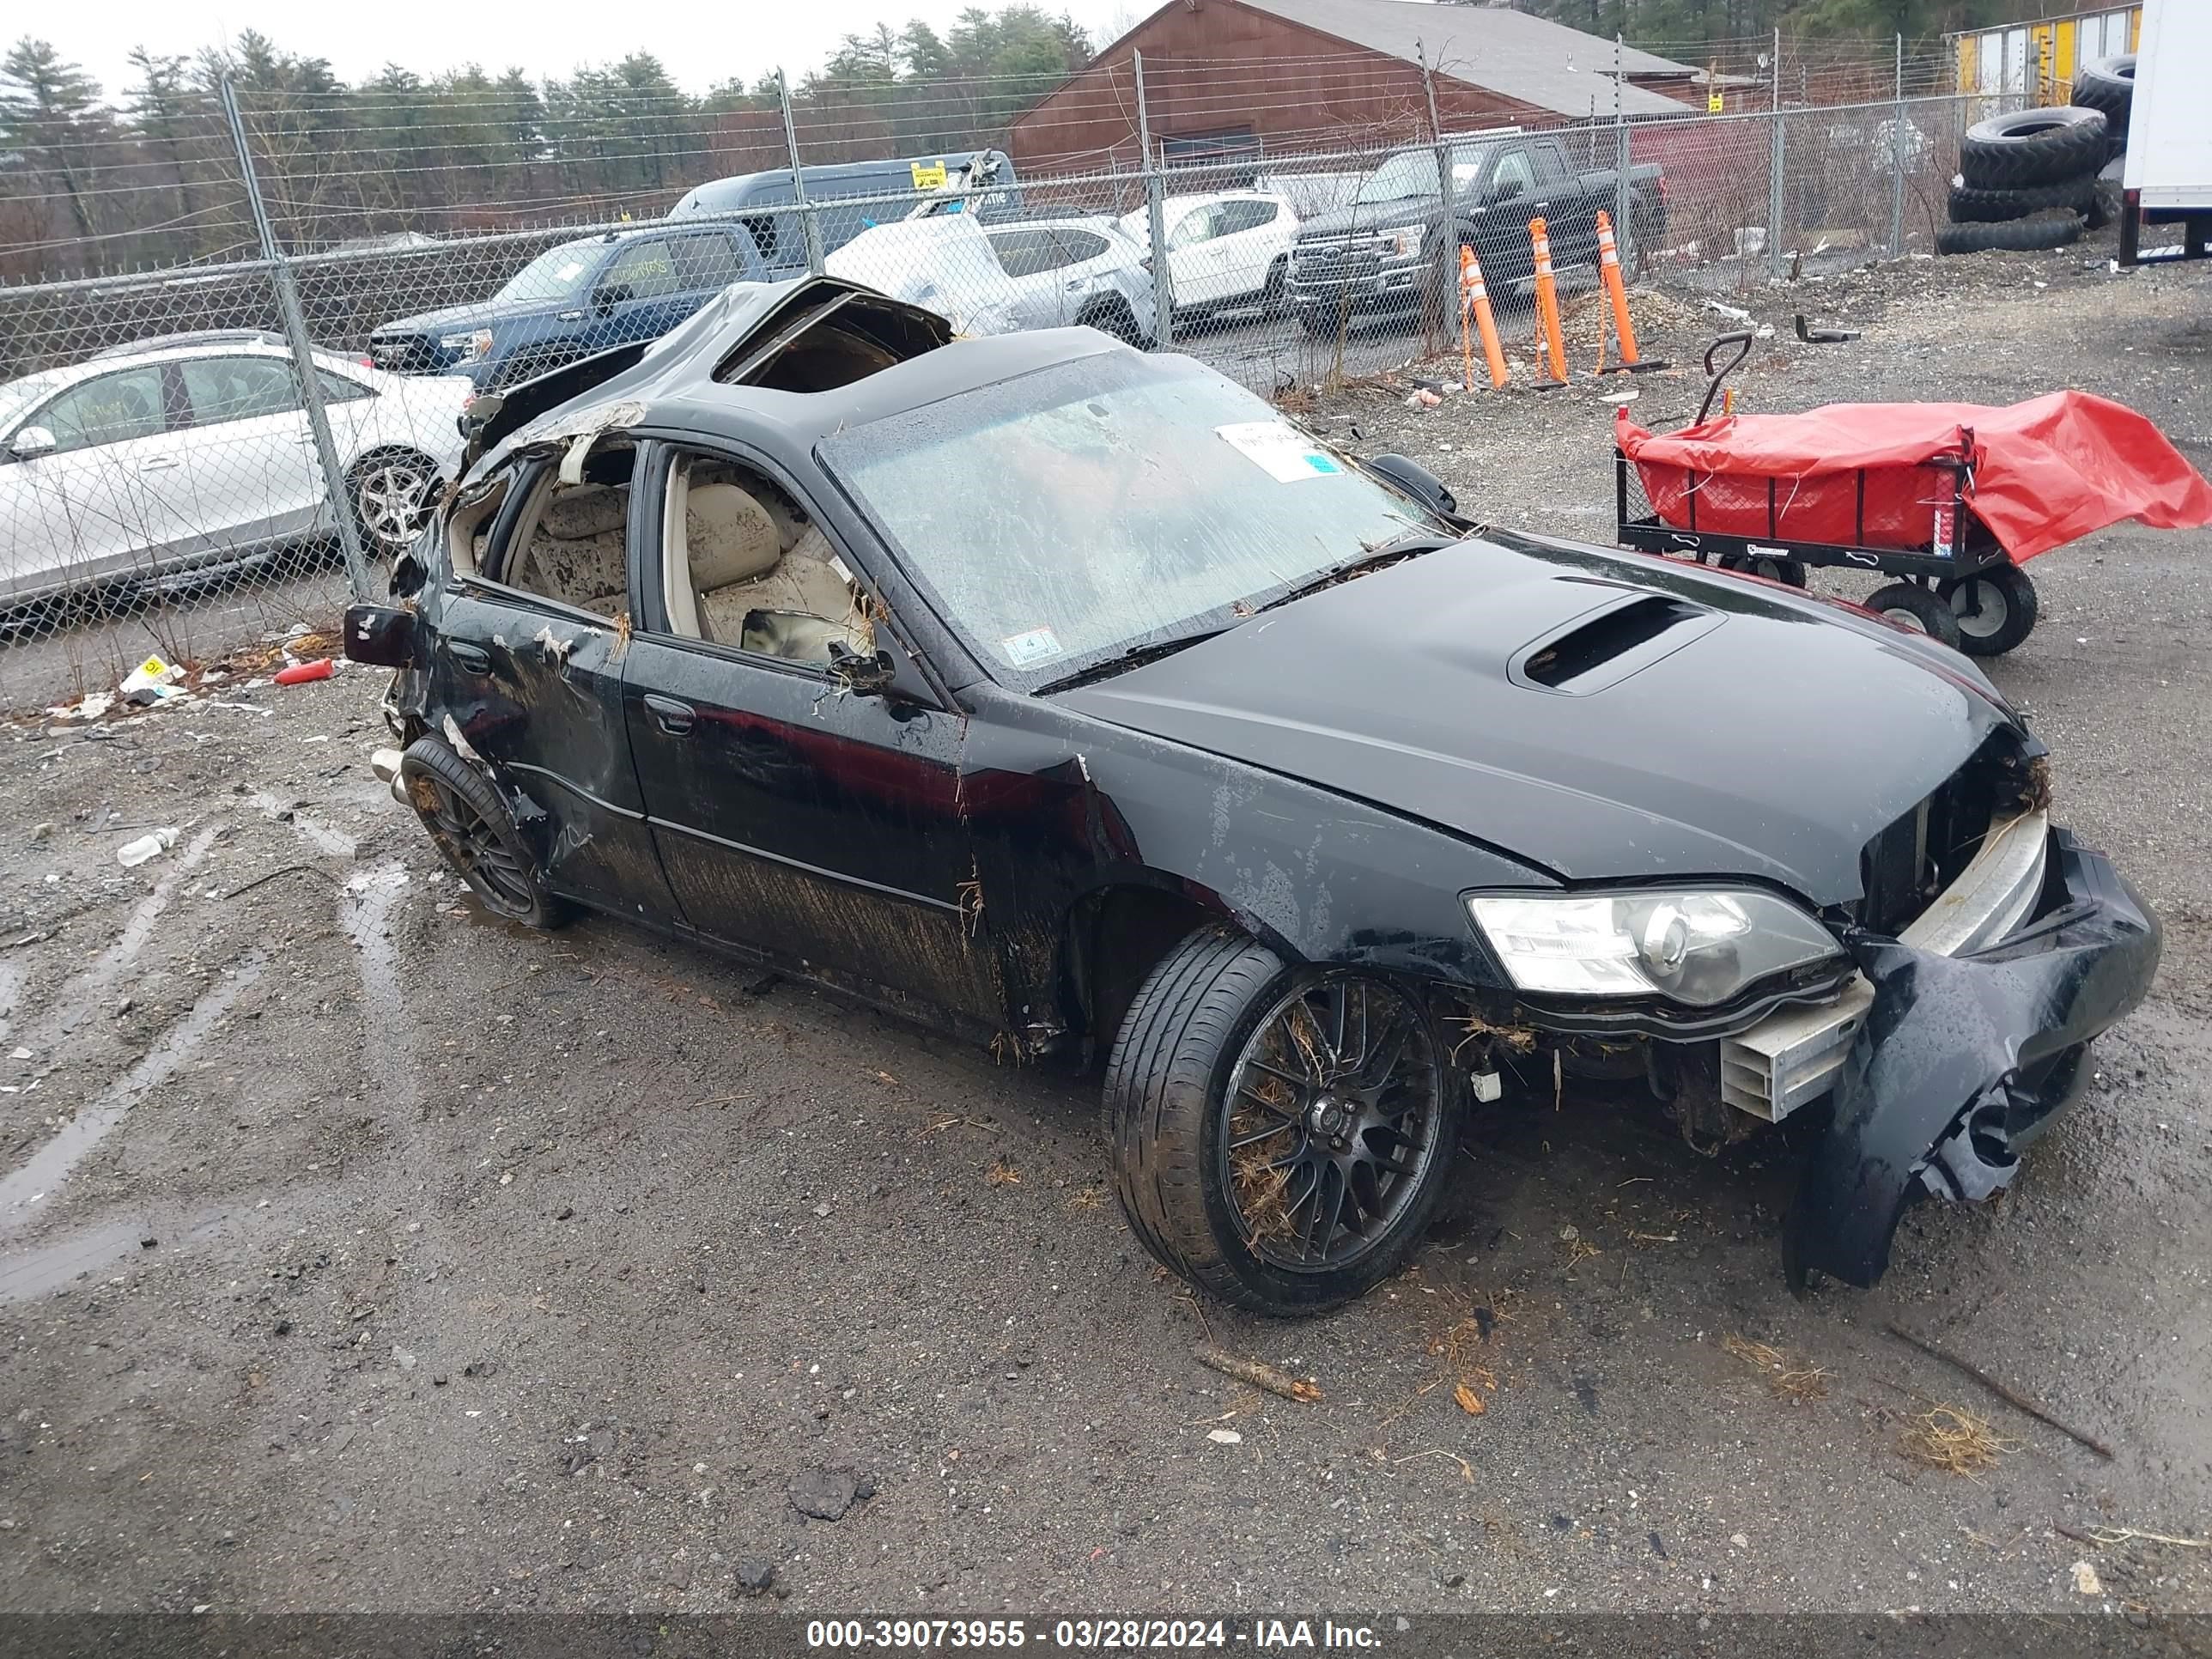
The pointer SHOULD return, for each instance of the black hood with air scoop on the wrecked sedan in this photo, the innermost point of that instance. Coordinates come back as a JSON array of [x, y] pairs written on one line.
[[1695, 724]]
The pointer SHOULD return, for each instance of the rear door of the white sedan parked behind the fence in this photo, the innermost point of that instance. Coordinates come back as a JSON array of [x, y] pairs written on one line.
[[249, 463]]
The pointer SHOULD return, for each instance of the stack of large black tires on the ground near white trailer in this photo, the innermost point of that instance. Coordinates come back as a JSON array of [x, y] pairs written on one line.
[[2030, 180]]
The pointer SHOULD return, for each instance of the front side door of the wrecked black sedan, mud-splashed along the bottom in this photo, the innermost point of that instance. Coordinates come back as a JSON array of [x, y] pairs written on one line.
[[806, 824]]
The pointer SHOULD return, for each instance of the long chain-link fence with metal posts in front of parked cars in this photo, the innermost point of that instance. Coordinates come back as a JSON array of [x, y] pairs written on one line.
[[207, 452]]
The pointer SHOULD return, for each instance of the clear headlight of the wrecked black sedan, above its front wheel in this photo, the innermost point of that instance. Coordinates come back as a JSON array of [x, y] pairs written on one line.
[[1695, 948]]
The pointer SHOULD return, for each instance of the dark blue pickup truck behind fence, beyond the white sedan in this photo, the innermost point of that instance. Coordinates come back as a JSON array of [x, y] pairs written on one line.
[[574, 300]]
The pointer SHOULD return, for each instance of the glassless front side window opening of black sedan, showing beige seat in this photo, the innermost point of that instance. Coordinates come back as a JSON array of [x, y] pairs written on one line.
[[744, 565]]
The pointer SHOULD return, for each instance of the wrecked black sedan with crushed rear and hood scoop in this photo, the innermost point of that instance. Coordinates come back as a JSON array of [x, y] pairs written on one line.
[[1074, 700]]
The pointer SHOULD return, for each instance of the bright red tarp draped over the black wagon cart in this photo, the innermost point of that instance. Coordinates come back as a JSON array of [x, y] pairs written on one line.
[[2045, 472]]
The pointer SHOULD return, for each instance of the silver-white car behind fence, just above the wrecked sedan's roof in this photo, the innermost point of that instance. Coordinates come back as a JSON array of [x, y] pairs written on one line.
[[1001, 278]]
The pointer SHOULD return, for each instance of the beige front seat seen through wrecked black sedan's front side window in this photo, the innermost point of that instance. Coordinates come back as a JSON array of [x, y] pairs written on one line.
[[747, 559]]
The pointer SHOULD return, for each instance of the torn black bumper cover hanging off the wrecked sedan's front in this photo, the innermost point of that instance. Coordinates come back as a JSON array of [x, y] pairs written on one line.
[[1961, 1061]]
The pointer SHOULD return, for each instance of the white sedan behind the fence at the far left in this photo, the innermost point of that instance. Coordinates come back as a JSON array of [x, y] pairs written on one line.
[[196, 459]]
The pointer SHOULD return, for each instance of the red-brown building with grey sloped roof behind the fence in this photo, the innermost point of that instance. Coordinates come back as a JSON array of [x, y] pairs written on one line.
[[1266, 79]]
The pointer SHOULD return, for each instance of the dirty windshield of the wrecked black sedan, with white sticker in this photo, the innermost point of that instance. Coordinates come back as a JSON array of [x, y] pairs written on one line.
[[1070, 517]]
